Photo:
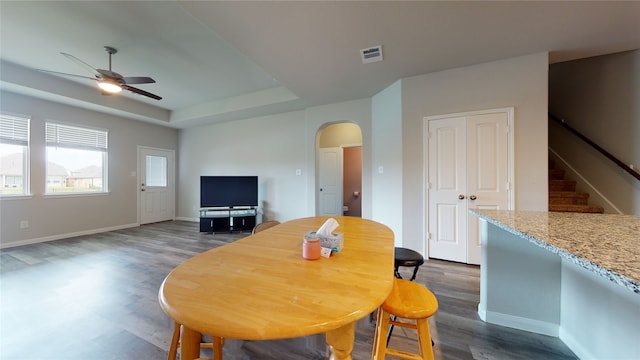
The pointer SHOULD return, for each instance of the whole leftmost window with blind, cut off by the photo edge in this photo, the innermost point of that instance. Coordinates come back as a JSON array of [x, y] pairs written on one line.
[[14, 155]]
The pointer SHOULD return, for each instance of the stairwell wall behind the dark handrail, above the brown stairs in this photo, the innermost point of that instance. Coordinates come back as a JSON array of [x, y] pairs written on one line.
[[600, 97]]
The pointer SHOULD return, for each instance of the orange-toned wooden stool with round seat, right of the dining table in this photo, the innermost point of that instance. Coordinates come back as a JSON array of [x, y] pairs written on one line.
[[410, 301]]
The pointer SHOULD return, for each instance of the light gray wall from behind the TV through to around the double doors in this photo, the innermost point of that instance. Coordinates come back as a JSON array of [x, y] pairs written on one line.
[[392, 134]]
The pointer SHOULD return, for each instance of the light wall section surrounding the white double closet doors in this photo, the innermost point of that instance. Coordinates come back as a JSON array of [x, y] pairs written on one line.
[[519, 82]]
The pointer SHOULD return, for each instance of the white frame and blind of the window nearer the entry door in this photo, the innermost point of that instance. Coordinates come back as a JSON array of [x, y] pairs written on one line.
[[62, 135]]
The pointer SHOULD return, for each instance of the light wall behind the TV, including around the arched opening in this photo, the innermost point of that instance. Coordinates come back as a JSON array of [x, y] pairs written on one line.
[[271, 147]]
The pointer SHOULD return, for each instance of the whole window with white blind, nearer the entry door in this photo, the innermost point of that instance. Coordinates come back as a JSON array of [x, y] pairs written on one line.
[[76, 159]]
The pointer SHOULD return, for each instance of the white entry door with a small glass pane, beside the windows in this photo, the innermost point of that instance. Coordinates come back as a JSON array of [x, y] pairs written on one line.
[[156, 182]]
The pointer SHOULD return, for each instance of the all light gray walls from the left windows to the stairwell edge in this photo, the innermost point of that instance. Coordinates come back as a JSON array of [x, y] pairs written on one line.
[[274, 147]]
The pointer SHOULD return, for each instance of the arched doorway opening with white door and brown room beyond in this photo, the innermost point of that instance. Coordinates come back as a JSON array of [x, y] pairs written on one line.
[[339, 169]]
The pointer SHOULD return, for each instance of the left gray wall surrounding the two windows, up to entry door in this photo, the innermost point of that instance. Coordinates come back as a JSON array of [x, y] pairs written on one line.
[[53, 218]]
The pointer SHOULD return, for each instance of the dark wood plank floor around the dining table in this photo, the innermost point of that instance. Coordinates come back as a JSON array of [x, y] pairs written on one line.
[[95, 297]]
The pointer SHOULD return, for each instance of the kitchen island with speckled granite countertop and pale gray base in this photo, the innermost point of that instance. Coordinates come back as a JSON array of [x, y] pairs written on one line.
[[570, 275]]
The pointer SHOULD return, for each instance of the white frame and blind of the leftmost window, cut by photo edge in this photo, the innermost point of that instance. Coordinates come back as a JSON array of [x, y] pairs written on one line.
[[15, 129]]
